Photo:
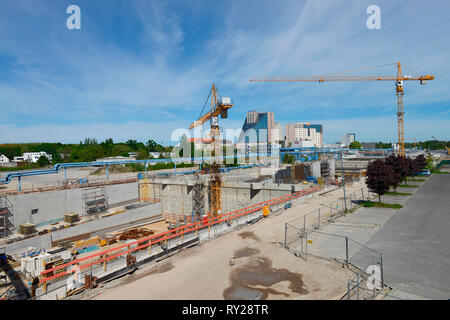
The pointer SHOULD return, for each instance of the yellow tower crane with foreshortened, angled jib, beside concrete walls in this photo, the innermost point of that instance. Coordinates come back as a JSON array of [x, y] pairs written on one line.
[[219, 106]]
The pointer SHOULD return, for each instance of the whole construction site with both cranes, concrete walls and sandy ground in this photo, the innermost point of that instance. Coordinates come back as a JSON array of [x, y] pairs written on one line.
[[83, 237]]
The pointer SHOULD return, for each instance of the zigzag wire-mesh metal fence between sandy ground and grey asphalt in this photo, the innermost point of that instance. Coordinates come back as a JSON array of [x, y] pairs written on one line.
[[303, 237]]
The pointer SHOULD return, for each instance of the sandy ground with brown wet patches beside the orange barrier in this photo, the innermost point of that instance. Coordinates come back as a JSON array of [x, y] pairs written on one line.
[[248, 263]]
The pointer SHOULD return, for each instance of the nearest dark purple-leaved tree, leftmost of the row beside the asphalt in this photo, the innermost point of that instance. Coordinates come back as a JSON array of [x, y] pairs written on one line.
[[380, 177]]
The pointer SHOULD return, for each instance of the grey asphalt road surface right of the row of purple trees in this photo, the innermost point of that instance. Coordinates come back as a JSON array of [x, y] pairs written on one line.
[[415, 242]]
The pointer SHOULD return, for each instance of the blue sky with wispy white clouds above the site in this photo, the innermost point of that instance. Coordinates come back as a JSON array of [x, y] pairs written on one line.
[[140, 69]]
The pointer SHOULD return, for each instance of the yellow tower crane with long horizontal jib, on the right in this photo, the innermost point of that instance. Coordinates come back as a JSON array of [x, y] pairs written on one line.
[[398, 79]]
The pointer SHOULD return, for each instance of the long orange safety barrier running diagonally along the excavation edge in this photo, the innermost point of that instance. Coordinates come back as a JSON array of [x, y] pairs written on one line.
[[175, 233]]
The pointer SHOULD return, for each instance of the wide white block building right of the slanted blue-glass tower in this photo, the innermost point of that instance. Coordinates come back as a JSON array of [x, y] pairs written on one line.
[[301, 131]]
